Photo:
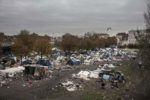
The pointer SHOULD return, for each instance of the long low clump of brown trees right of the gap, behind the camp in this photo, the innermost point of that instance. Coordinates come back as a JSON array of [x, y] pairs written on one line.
[[87, 42]]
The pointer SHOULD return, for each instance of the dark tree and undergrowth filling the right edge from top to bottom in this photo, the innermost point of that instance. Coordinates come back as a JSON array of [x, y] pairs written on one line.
[[142, 86]]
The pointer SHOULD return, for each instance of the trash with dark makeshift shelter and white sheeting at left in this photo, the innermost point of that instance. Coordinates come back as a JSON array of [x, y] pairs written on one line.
[[27, 69]]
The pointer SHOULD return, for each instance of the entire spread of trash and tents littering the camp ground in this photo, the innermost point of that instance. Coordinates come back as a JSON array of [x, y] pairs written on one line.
[[60, 62]]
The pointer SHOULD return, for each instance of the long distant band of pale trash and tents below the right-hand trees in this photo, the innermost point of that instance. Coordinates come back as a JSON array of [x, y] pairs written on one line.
[[90, 57]]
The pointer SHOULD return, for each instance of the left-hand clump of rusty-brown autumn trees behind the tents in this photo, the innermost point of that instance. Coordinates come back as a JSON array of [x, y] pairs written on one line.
[[26, 43]]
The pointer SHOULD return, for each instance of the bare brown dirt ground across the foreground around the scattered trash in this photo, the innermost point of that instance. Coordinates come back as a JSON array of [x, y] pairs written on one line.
[[50, 89]]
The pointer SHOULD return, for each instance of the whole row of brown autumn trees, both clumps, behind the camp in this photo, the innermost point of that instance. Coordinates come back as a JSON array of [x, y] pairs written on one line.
[[26, 43]]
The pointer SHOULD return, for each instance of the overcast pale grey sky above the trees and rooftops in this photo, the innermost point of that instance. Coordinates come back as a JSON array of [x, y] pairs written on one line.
[[71, 16]]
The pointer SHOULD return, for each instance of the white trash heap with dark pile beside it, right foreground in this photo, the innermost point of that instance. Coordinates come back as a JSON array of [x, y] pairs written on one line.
[[106, 74]]
